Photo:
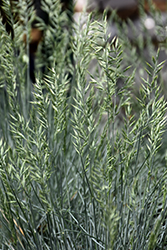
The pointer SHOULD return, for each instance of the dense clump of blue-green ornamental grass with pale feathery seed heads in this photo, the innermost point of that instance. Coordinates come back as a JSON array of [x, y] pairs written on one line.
[[80, 166]]
